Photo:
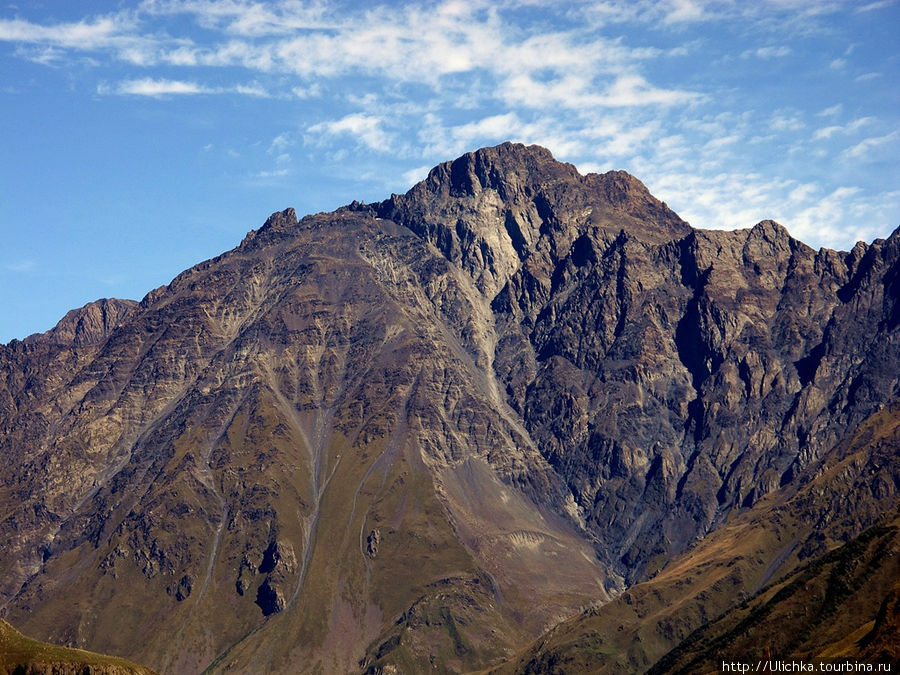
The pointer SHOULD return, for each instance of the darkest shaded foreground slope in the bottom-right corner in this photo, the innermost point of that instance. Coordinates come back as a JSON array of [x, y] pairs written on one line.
[[833, 608]]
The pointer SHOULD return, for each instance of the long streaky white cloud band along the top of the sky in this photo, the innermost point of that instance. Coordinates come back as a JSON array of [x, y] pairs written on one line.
[[405, 44]]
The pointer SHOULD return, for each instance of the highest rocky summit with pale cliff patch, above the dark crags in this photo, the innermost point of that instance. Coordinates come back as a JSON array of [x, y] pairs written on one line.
[[490, 210]]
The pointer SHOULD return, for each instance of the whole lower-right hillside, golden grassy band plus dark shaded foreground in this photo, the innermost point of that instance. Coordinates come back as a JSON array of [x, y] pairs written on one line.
[[801, 525]]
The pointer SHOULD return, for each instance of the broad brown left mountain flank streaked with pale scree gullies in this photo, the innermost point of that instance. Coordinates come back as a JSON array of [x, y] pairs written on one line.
[[265, 448]]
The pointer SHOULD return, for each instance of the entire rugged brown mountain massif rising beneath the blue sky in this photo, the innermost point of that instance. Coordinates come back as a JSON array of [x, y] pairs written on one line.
[[516, 418]]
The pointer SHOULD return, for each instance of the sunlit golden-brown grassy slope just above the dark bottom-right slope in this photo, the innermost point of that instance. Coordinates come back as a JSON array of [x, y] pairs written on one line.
[[837, 498]]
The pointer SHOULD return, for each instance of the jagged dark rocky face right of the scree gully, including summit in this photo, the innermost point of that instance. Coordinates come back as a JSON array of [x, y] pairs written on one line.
[[668, 375]]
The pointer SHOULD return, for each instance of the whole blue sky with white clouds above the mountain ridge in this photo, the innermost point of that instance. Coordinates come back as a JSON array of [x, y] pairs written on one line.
[[141, 137]]
